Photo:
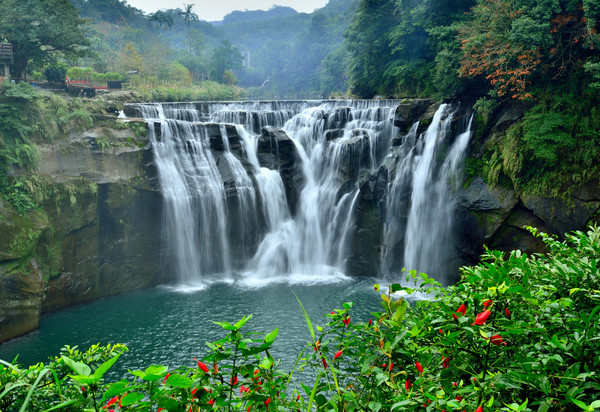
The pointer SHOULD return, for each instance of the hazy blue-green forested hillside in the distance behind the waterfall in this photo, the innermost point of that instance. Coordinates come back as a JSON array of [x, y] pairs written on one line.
[[287, 54]]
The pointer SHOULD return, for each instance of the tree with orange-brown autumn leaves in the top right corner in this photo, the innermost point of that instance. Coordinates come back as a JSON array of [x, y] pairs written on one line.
[[512, 42]]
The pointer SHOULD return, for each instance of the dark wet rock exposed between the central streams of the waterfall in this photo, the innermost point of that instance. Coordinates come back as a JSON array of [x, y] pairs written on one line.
[[278, 152]]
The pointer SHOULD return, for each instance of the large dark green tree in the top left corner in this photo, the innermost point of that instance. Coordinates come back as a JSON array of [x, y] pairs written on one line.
[[42, 31]]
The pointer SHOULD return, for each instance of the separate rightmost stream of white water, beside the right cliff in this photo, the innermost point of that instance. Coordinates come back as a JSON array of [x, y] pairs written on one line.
[[421, 203]]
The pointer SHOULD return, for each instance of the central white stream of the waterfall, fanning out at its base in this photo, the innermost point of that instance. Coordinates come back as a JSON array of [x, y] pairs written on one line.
[[334, 142]]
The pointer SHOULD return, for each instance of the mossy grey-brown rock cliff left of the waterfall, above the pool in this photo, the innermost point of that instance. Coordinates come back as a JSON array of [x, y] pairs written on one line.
[[97, 233]]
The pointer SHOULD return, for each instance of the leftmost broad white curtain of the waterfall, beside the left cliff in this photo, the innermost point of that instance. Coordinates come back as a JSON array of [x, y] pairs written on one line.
[[195, 209]]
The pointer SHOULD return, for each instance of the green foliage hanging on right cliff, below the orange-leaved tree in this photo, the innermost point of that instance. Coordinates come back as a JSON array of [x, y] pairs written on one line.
[[551, 151]]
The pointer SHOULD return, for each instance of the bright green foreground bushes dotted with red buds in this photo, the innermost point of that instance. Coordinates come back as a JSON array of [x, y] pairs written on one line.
[[517, 333]]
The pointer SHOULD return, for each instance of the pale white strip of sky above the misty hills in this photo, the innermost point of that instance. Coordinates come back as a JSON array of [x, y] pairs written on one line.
[[212, 10]]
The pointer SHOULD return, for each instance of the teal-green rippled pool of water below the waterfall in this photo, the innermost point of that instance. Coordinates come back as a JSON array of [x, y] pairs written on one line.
[[170, 326]]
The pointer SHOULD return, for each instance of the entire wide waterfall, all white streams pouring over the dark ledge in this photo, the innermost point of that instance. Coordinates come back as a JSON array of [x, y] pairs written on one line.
[[229, 207]]
